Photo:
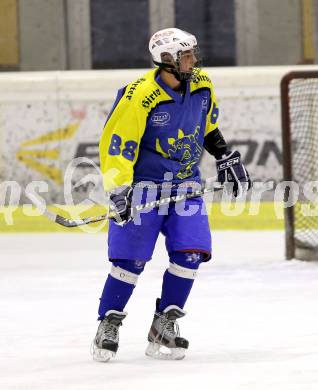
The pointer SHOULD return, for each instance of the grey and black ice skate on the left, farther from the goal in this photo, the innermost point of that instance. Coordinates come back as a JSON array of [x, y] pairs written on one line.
[[105, 344]]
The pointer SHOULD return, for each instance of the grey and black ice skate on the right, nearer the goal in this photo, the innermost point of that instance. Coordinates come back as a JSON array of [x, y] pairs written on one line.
[[163, 337]]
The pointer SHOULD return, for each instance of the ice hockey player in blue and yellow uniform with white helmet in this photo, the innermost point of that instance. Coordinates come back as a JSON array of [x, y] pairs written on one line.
[[160, 124]]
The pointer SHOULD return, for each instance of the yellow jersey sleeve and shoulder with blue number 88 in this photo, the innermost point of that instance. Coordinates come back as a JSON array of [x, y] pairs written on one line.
[[119, 144]]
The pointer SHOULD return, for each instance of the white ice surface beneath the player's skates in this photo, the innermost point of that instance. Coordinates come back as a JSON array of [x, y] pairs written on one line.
[[252, 317]]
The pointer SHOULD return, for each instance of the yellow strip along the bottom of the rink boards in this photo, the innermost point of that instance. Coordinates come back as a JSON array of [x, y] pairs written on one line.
[[268, 217]]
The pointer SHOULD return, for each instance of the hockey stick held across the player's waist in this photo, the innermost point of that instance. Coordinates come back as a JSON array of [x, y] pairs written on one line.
[[146, 206]]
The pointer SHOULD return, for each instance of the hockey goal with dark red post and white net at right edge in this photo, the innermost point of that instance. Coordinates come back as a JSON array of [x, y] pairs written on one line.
[[299, 103]]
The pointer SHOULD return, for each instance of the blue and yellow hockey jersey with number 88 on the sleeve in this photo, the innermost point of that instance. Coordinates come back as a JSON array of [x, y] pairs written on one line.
[[152, 130]]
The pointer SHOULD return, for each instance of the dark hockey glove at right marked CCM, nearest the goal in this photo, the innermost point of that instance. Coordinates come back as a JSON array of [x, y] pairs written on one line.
[[231, 170]]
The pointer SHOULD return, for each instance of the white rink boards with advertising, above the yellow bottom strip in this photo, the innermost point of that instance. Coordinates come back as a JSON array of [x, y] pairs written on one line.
[[48, 118]]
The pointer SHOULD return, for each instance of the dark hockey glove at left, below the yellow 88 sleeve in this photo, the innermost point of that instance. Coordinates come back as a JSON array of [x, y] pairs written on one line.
[[121, 203]]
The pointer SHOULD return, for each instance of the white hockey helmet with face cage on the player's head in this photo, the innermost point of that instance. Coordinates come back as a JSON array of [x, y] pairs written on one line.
[[166, 47]]
